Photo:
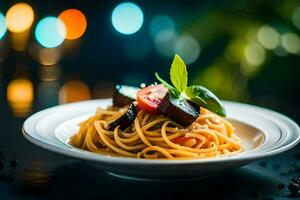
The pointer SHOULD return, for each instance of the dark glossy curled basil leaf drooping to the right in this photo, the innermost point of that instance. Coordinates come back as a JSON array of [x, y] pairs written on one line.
[[205, 98]]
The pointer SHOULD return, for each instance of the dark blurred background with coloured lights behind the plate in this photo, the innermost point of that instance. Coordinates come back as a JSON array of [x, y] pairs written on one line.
[[55, 52]]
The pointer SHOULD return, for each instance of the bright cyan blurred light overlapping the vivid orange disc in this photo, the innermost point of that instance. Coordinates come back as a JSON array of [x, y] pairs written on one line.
[[50, 32]]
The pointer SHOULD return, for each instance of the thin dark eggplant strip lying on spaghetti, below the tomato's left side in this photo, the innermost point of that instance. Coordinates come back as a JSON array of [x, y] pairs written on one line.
[[125, 120]]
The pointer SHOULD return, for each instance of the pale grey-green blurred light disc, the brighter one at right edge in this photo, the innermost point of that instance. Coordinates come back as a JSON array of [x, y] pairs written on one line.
[[290, 42]]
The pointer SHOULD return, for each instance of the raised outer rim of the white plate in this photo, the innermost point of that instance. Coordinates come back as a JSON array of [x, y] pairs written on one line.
[[86, 155]]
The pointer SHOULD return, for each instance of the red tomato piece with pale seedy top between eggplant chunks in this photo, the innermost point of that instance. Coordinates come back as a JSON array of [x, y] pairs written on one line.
[[150, 97]]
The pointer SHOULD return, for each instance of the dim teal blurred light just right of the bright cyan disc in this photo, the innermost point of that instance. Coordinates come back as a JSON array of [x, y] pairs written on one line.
[[162, 28]]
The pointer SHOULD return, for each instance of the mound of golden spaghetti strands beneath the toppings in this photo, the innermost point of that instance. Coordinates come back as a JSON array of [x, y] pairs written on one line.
[[158, 137]]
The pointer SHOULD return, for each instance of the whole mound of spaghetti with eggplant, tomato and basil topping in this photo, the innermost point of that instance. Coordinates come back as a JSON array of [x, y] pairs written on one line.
[[161, 121]]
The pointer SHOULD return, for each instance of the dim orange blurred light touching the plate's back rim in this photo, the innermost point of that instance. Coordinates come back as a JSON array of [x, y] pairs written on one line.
[[74, 90]]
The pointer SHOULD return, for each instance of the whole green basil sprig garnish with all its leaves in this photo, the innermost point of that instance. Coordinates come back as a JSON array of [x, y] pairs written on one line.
[[195, 93]]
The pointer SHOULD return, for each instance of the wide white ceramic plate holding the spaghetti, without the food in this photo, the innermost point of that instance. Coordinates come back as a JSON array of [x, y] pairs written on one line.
[[263, 132]]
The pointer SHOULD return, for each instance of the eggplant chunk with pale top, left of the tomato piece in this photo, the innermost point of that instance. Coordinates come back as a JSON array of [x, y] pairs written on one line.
[[124, 95]]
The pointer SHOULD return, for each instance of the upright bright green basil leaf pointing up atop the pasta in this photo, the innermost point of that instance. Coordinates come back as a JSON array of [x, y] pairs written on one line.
[[178, 74]]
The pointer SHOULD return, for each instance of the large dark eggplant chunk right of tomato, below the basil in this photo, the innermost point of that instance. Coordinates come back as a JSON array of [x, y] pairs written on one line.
[[181, 111]]
